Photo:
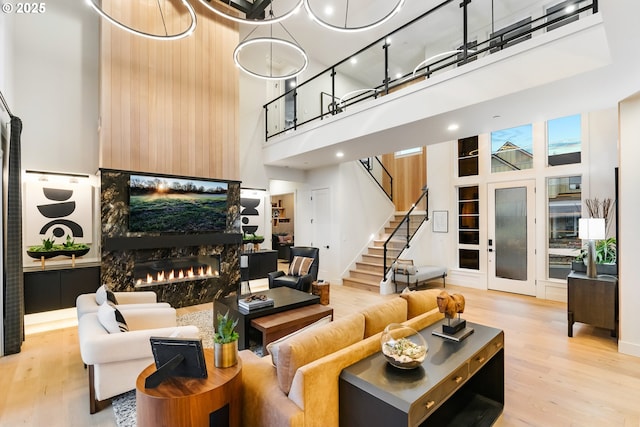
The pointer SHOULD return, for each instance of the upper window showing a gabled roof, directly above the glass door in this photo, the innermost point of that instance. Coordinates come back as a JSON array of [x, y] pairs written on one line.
[[512, 149]]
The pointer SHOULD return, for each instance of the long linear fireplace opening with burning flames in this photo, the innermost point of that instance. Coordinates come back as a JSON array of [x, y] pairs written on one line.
[[183, 269]]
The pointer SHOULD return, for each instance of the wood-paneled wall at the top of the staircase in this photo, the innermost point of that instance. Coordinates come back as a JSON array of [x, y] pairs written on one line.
[[409, 177]]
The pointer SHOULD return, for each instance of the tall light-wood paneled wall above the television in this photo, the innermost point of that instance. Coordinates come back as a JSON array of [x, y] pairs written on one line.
[[169, 106]]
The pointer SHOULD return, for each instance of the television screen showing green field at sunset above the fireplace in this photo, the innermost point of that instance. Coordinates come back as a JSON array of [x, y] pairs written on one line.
[[166, 204]]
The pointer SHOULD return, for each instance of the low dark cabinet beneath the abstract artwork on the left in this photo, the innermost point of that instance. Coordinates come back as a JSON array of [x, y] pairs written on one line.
[[55, 289]]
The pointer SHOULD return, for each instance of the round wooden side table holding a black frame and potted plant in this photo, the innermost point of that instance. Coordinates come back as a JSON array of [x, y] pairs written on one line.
[[191, 402]]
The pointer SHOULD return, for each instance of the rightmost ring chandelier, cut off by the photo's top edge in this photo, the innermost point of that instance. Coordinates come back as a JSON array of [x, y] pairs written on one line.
[[313, 9]]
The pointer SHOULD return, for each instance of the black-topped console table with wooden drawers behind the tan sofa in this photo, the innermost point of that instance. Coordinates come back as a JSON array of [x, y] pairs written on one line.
[[458, 384]]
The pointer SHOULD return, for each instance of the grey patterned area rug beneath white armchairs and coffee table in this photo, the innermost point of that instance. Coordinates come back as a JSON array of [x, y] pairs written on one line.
[[124, 405]]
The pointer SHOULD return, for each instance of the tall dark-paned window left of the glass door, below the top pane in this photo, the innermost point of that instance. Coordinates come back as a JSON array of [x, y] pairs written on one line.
[[468, 227]]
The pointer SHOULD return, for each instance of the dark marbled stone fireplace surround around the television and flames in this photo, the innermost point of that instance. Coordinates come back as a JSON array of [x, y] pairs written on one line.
[[122, 250]]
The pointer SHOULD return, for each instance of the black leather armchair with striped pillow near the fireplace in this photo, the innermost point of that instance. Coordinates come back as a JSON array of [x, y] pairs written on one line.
[[303, 269]]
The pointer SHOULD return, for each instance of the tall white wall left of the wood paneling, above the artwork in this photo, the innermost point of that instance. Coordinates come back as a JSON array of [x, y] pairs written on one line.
[[55, 87]]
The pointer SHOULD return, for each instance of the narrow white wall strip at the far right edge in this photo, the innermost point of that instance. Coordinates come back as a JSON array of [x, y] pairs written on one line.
[[629, 205]]
